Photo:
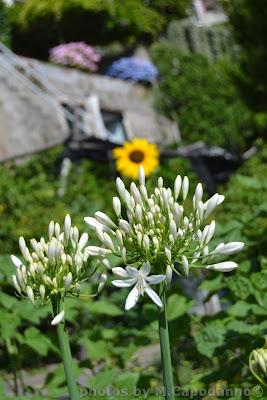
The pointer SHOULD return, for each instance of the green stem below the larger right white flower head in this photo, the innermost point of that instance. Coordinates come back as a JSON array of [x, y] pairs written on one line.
[[165, 348]]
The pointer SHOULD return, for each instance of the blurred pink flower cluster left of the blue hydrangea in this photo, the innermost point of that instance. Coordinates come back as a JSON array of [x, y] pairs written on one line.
[[76, 54]]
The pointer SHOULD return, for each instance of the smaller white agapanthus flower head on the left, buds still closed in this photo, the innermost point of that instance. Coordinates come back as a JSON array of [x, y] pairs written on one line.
[[54, 267]]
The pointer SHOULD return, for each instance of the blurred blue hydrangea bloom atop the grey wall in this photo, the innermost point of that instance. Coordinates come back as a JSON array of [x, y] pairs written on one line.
[[133, 69]]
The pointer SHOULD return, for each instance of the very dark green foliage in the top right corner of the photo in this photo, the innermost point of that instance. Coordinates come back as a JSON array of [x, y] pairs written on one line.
[[248, 22]]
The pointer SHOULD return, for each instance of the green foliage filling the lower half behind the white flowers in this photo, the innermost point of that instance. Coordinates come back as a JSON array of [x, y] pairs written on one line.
[[106, 342]]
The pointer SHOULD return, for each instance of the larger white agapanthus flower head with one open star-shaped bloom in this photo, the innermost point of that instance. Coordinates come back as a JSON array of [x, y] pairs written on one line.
[[156, 232]]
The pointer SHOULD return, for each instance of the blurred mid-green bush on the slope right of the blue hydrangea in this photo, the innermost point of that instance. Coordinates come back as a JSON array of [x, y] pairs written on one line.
[[201, 98]]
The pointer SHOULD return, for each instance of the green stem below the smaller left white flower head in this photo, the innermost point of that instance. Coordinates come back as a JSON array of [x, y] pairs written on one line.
[[65, 352]]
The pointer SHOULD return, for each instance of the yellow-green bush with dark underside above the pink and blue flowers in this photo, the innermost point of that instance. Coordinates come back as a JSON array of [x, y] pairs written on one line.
[[38, 26]]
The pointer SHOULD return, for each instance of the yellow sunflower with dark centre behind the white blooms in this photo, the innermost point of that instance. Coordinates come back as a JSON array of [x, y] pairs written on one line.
[[133, 154]]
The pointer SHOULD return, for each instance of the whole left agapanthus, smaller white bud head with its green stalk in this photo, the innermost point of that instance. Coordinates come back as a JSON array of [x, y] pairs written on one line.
[[51, 271]]
